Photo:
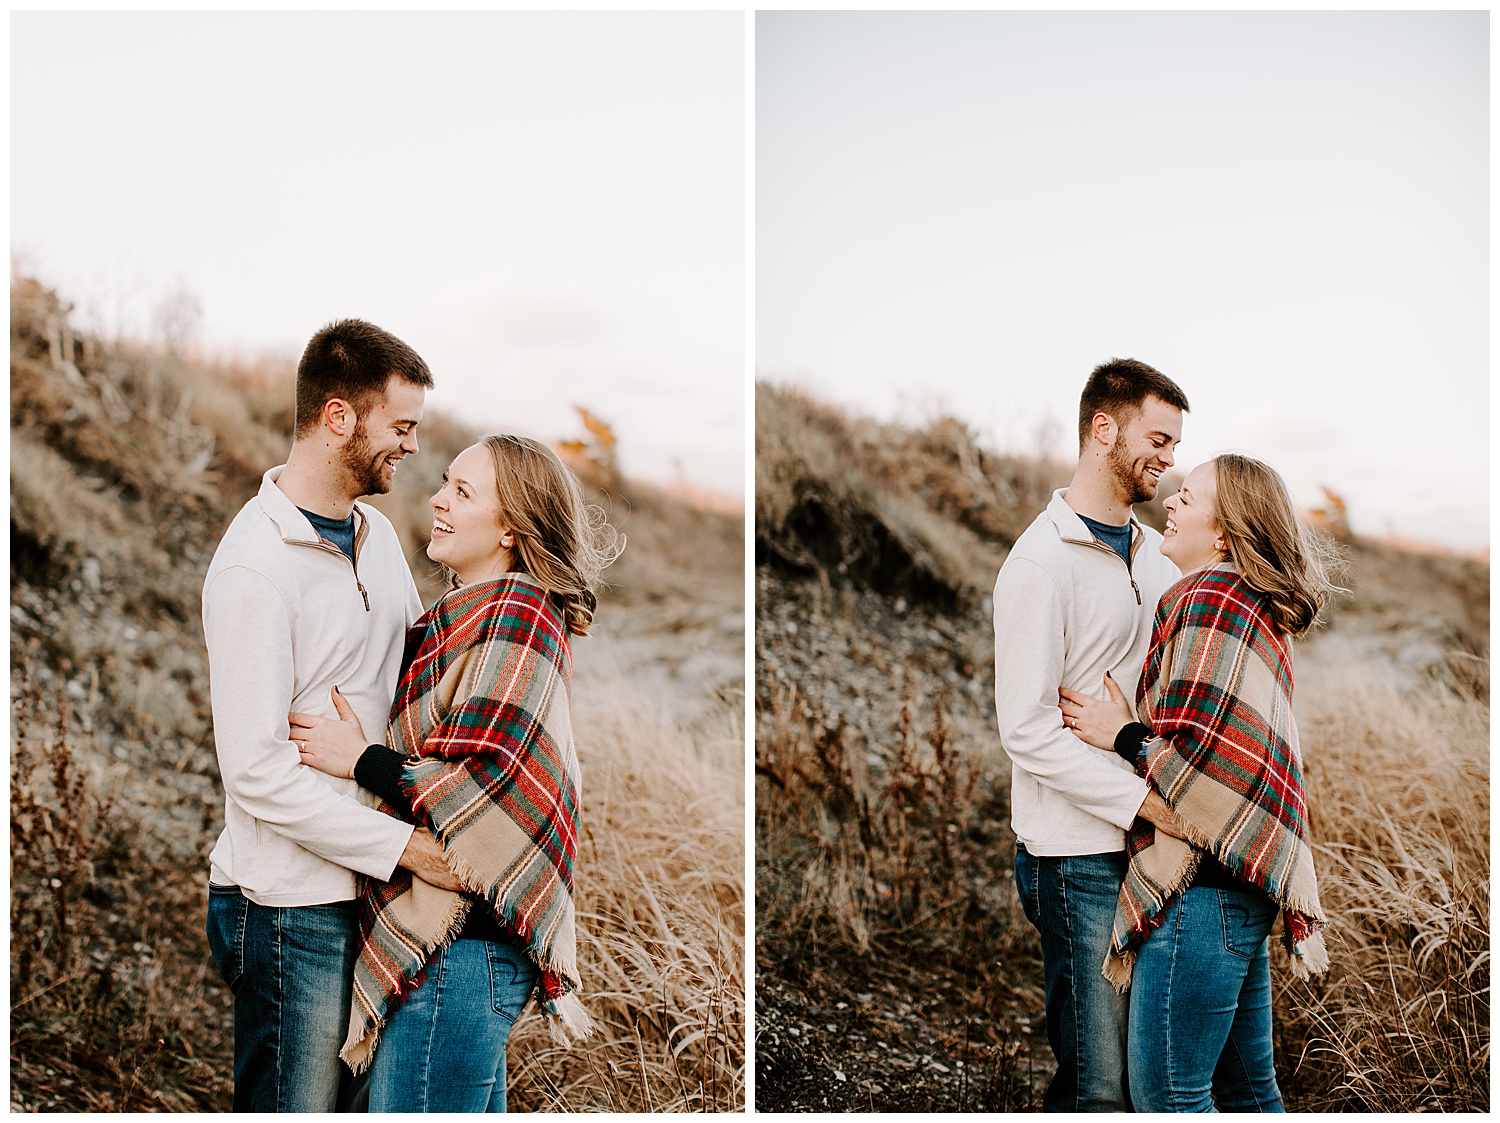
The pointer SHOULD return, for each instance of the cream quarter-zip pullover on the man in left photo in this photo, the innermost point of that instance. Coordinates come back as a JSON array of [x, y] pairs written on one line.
[[287, 617]]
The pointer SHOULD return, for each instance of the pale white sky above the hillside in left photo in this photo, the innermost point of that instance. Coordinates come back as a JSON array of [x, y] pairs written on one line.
[[550, 208]]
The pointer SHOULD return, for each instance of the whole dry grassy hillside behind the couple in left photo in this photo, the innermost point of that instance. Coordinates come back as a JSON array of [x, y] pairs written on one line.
[[127, 464]]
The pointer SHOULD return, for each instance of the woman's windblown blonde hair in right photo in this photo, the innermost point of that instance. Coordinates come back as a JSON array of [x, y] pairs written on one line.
[[1276, 554]]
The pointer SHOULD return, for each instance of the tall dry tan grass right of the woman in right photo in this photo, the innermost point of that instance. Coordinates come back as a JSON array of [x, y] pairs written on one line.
[[1399, 782]]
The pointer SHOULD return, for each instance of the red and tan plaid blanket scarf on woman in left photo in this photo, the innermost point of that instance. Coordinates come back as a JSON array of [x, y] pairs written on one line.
[[482, 716]]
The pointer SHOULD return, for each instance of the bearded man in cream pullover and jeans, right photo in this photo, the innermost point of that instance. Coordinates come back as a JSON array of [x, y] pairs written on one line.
[[1073, 603]]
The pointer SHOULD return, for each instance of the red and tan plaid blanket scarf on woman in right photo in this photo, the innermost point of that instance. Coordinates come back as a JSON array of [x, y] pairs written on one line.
[[1217, 695]]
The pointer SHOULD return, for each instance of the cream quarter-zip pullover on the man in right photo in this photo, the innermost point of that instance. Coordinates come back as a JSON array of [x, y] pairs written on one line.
[[1067, 609]]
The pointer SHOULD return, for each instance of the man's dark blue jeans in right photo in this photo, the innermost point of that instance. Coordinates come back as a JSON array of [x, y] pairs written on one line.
[[1072, 905]]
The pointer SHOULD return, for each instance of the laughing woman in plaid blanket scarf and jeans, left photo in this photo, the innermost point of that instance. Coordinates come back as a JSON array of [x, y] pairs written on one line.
[[481, 755]]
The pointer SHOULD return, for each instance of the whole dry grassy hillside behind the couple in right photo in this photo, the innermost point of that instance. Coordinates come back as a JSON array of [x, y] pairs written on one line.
[[895, 966]]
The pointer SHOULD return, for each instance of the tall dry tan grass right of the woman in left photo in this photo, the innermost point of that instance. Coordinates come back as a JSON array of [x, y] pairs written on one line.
[[662, 918]]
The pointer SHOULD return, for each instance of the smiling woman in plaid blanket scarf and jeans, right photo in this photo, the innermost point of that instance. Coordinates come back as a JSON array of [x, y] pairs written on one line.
[[1219, 741]]
